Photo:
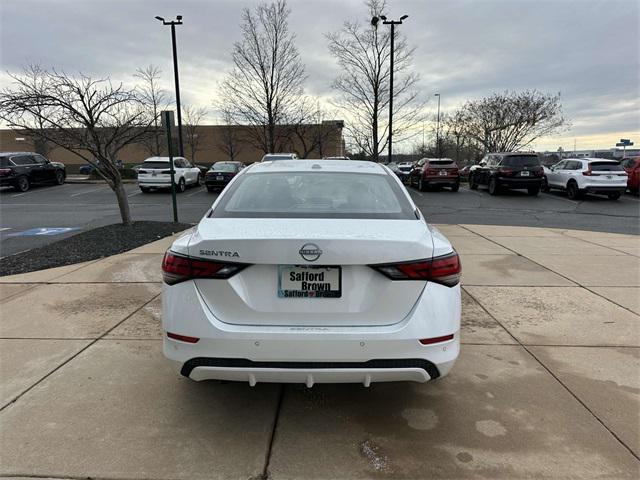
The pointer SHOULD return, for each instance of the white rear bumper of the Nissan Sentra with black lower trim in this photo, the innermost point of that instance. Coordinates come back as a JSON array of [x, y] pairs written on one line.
[[312, 355]]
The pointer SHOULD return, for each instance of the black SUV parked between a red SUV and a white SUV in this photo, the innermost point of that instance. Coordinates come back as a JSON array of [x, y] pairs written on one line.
[[508, 171]]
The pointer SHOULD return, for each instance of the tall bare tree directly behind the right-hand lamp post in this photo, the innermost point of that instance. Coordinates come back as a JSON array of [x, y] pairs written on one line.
[[363, 52]]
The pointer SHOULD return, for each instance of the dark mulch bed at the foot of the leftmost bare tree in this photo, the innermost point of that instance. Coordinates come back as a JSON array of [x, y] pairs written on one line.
[[89, 245]]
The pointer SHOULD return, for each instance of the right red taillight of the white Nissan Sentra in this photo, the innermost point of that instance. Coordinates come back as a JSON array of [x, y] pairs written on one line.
[[445, 270]]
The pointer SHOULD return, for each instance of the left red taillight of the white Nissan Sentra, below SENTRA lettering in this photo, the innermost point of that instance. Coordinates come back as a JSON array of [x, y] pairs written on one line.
[[177, 268]]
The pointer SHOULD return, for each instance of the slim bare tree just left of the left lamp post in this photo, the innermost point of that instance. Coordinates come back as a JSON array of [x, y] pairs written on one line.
[[155, 98]]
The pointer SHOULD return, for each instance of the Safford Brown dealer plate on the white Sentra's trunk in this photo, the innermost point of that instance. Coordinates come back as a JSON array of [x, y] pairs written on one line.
[[304, 281]]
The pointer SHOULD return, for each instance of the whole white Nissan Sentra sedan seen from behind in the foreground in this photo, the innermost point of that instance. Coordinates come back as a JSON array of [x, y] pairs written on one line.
[[312, 272]]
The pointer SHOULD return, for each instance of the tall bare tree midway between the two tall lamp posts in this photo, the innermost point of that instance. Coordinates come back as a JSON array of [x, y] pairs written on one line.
[[264, 87]]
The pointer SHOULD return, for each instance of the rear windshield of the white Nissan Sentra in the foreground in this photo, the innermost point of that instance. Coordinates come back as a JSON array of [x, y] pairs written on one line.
[[314, 195]]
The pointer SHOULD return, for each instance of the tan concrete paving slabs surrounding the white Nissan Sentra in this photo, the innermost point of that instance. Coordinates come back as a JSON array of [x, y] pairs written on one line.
[[547, 384]]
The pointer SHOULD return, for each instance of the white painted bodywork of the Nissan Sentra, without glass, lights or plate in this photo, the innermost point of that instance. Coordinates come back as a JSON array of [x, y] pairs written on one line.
[[247, 333]]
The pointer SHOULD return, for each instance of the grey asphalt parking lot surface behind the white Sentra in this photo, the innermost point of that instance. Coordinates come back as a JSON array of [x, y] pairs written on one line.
[[85, 206]]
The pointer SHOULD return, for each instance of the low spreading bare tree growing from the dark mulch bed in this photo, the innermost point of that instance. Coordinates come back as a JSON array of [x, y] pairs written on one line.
[[93, 119]]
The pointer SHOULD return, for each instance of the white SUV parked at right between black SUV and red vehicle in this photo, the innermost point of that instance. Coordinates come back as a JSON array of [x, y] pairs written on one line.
[[587, 175]]
